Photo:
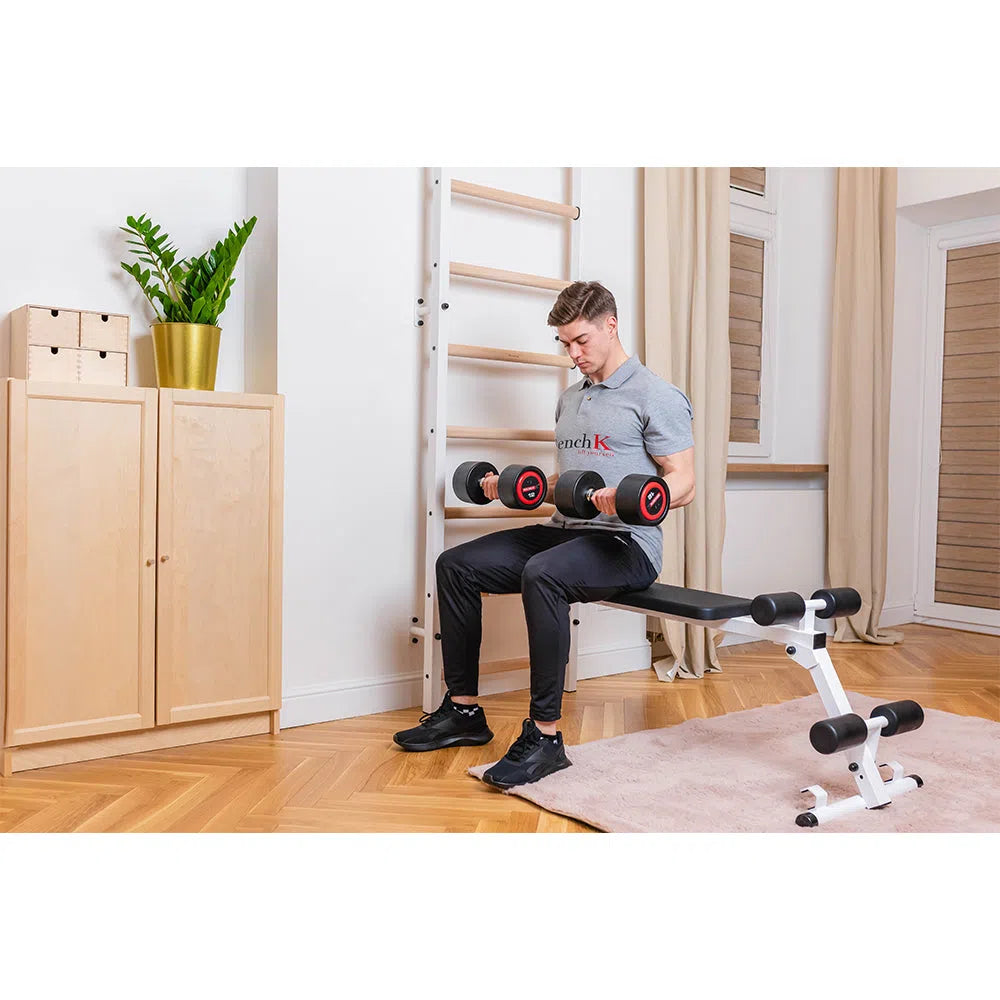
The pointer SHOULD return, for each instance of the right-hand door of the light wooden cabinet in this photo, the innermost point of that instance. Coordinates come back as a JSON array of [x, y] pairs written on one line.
[[219, 576]]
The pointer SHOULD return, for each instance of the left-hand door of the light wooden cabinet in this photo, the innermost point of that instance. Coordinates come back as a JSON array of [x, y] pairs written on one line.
[[81, 574]]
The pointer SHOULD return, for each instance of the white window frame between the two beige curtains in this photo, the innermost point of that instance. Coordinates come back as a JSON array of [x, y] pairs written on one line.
[[761, 223]]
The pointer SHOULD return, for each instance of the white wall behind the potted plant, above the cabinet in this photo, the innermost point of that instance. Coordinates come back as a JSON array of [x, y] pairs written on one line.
[[60, 245]]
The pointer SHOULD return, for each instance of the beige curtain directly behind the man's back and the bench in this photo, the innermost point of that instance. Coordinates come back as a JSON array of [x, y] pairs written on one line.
[[687, 343]]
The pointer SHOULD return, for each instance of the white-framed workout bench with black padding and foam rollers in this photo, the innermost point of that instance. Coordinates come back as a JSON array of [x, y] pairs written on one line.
[[789, 620]]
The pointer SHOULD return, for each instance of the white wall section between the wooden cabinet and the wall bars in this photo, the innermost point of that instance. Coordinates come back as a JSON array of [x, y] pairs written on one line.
[[348, 362]]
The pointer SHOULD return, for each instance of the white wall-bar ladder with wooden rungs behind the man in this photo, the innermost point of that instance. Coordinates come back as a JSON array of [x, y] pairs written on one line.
[[435, 316]]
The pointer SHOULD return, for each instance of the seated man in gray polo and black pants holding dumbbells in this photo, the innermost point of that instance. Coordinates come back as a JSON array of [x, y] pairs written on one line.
[[619, 419]]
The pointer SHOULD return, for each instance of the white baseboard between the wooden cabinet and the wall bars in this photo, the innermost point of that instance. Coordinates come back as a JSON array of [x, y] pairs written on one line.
[[305, 706]]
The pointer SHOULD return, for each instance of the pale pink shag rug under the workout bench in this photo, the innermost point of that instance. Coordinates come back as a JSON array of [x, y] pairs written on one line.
[[742, 772]]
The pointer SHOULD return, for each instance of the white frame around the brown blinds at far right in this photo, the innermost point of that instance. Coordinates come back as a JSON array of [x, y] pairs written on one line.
[[941, 239]]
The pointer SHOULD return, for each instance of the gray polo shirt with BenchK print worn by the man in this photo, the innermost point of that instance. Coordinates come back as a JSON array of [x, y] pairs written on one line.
[[615, 428]]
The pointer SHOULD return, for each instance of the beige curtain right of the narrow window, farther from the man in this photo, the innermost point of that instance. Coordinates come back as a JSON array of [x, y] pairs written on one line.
[[860, 372]]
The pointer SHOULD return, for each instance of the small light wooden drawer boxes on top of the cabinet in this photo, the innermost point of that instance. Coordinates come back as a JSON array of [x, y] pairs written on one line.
[[69, 345]]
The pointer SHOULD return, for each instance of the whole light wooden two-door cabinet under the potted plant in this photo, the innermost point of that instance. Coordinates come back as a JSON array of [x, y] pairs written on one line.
[[142, 544]]
